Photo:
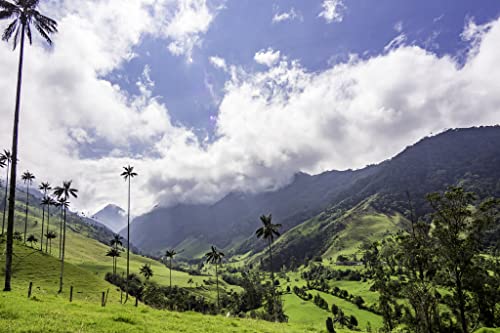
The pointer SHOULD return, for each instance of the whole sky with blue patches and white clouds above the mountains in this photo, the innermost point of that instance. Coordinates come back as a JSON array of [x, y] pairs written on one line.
[[207, 97]]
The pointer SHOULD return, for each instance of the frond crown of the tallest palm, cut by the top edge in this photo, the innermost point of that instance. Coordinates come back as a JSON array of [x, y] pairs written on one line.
[[24, 15]]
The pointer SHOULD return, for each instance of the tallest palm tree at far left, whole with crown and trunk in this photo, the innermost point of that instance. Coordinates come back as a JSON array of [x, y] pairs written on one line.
[[24, 13]]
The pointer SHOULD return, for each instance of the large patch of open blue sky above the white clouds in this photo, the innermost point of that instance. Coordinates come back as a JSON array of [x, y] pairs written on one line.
[[245, 27]]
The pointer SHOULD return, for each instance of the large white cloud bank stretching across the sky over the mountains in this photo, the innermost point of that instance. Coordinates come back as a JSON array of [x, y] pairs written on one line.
[[270, 124]]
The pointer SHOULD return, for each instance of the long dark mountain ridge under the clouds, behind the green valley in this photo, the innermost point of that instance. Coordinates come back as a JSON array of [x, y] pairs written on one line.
[[467, 157]]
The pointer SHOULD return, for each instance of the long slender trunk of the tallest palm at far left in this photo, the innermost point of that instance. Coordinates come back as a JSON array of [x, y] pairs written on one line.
[[13, 170]]
